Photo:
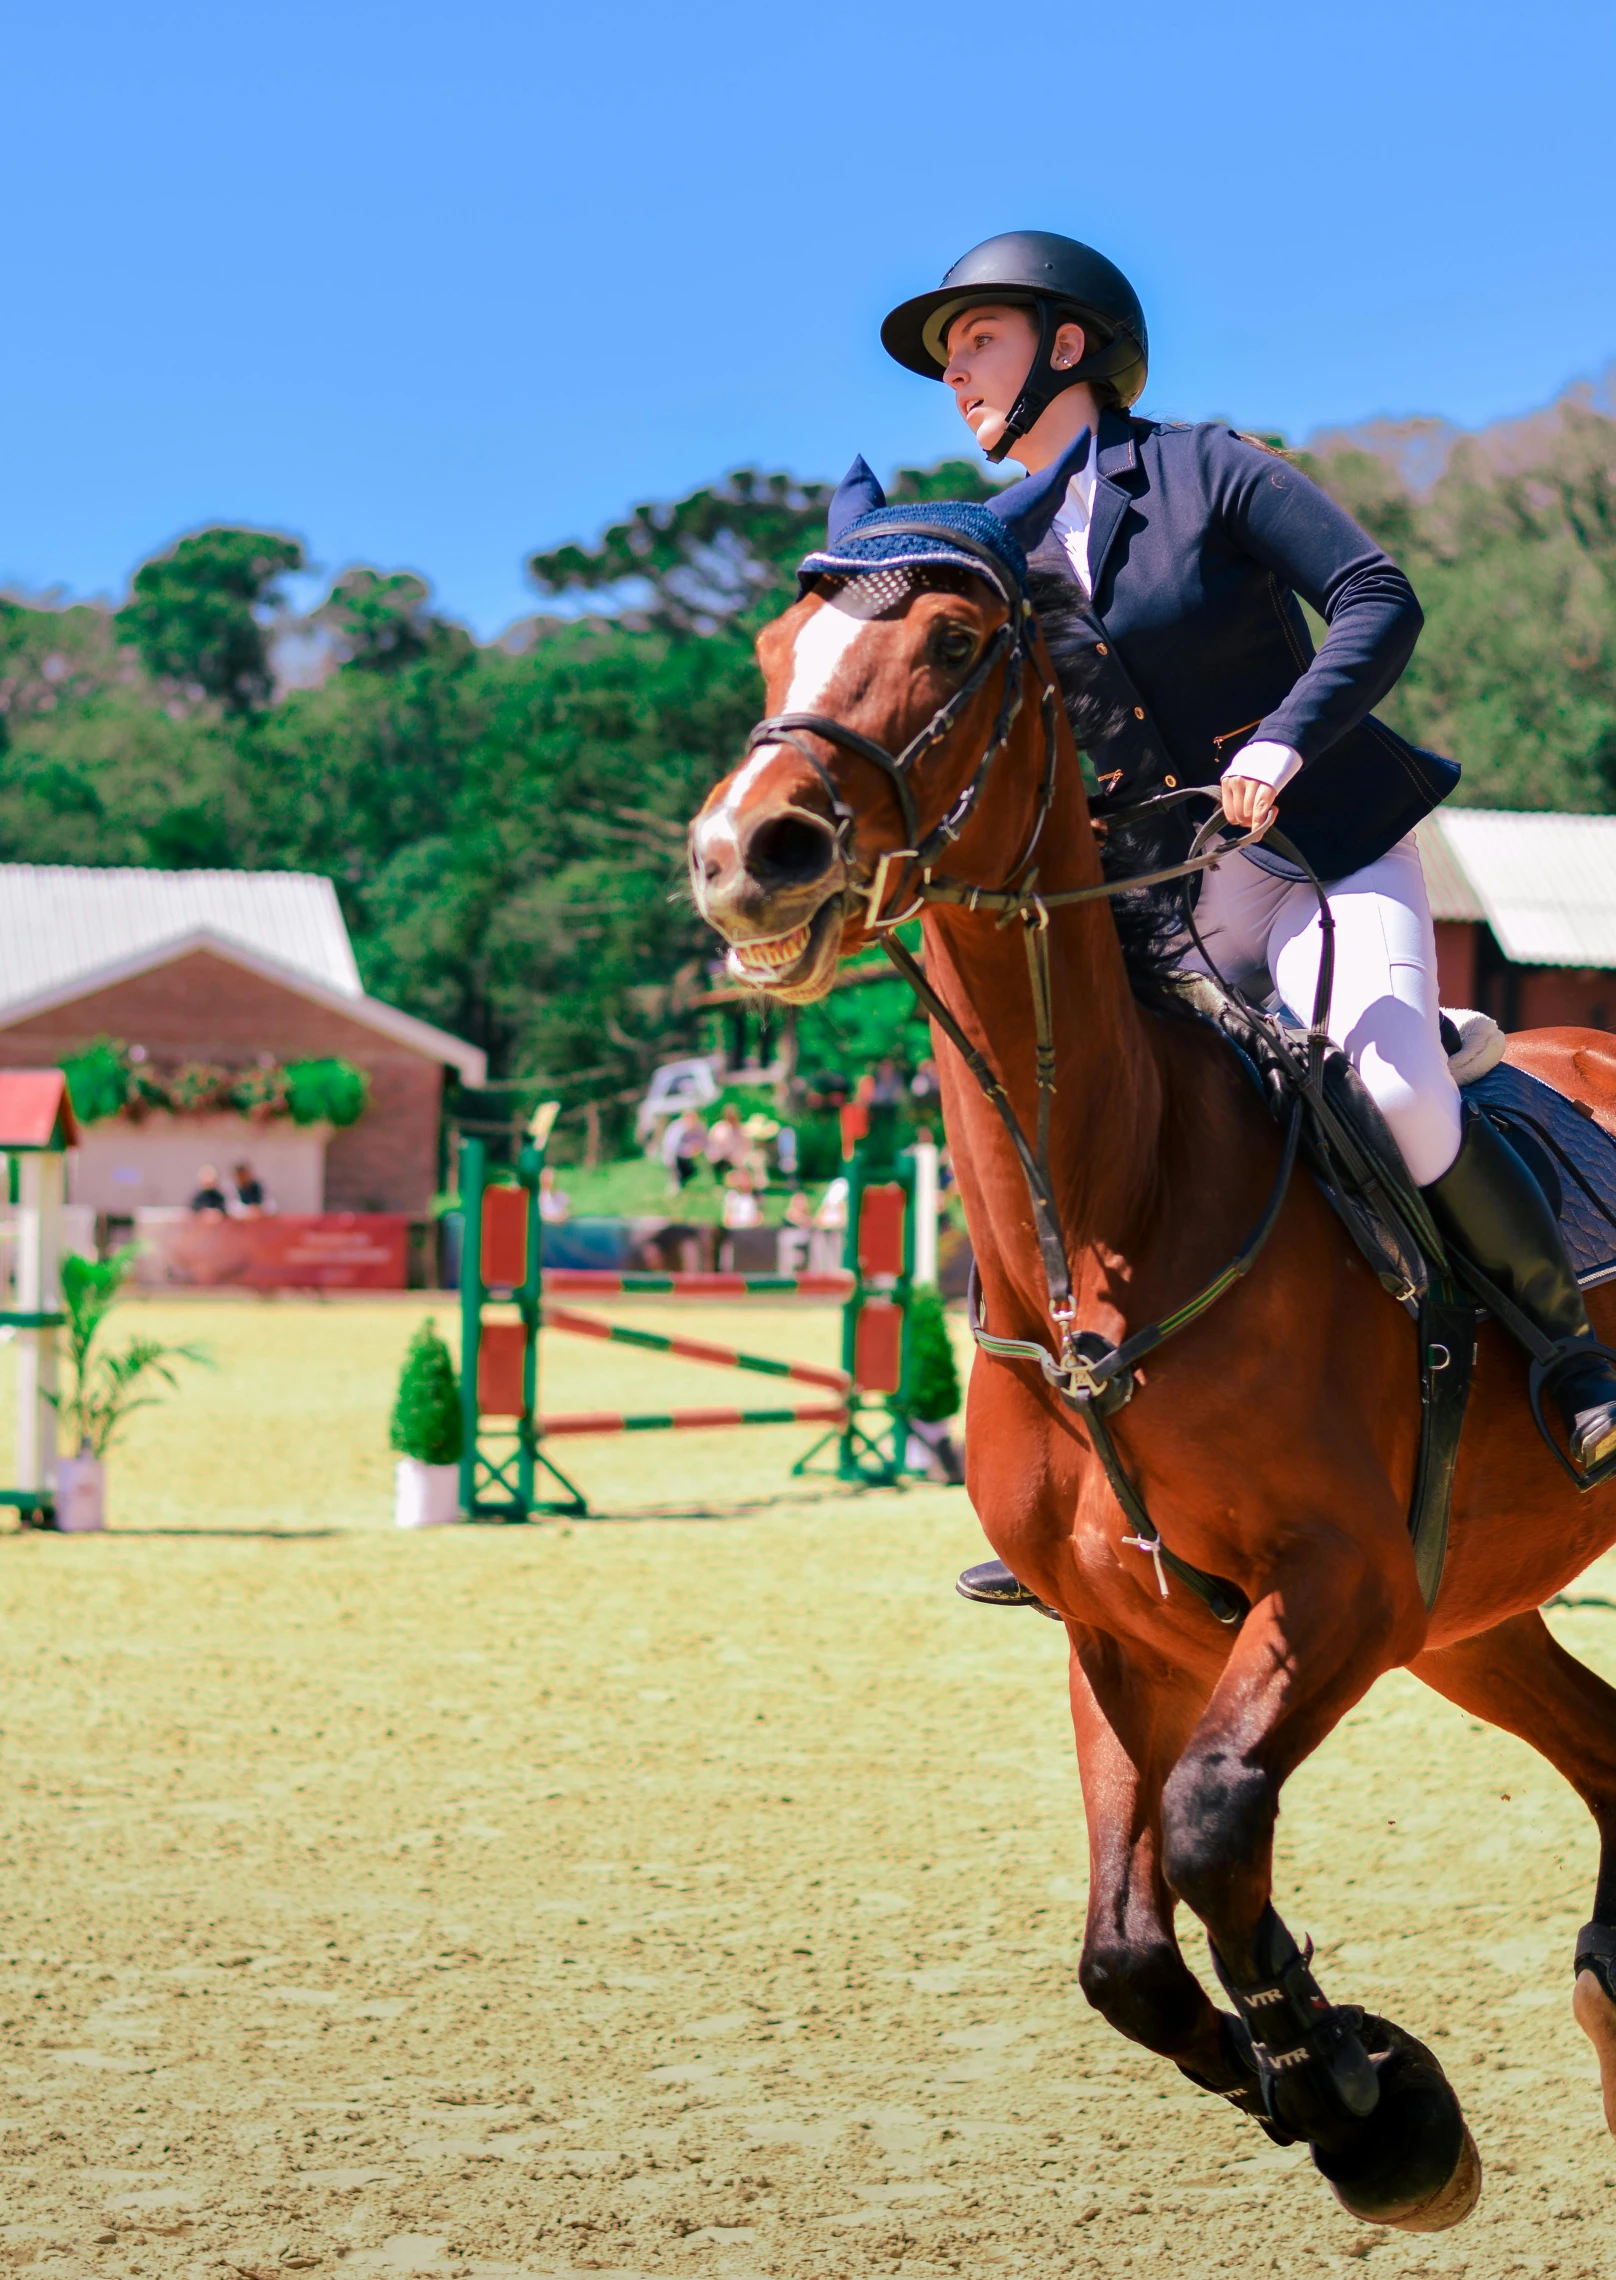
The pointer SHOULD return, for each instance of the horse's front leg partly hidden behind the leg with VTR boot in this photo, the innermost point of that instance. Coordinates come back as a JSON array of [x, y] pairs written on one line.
[[1132, 1723]]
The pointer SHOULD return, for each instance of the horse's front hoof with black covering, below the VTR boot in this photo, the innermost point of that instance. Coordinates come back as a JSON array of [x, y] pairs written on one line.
[[1412, 2165]]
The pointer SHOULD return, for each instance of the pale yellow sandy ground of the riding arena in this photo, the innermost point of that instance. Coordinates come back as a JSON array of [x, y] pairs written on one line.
[[685, 1894]]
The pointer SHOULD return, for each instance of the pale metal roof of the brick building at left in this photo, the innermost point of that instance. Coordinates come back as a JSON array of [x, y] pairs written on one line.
[[60, 922]]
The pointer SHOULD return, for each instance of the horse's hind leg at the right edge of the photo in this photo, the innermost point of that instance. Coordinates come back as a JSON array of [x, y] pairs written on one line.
[[1521, 1679]]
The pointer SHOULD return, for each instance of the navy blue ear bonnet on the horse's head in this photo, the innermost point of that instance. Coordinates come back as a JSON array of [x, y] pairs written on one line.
[[860, 530]]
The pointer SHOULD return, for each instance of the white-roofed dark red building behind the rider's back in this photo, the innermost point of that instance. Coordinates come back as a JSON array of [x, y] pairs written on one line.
[[1526, 915]]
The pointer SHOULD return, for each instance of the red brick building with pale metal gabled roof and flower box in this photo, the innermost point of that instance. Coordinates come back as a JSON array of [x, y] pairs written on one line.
[[229, 968]]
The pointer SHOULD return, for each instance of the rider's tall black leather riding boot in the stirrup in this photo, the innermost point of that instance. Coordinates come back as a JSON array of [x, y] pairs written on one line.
[[1496, 1214]]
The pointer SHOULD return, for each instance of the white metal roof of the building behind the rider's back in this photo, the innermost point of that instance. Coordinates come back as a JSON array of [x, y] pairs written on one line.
[[1544, 883]]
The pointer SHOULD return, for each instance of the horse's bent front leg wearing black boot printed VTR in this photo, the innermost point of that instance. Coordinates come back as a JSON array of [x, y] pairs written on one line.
[[1371, 2101]]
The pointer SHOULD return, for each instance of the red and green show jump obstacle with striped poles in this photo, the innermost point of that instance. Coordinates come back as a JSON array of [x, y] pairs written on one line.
[[505, 1469]]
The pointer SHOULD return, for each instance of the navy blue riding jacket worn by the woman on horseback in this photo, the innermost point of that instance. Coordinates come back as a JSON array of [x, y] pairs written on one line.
[[1200, 546]]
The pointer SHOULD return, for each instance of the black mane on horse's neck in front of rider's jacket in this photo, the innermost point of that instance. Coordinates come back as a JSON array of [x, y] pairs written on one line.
[[1148, 922]]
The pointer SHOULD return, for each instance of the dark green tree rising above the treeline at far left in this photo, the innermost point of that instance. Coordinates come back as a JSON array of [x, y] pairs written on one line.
[[197, 614]]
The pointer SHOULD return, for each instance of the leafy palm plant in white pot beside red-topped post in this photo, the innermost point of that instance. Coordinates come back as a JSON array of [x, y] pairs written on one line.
[[104, 1387]]
